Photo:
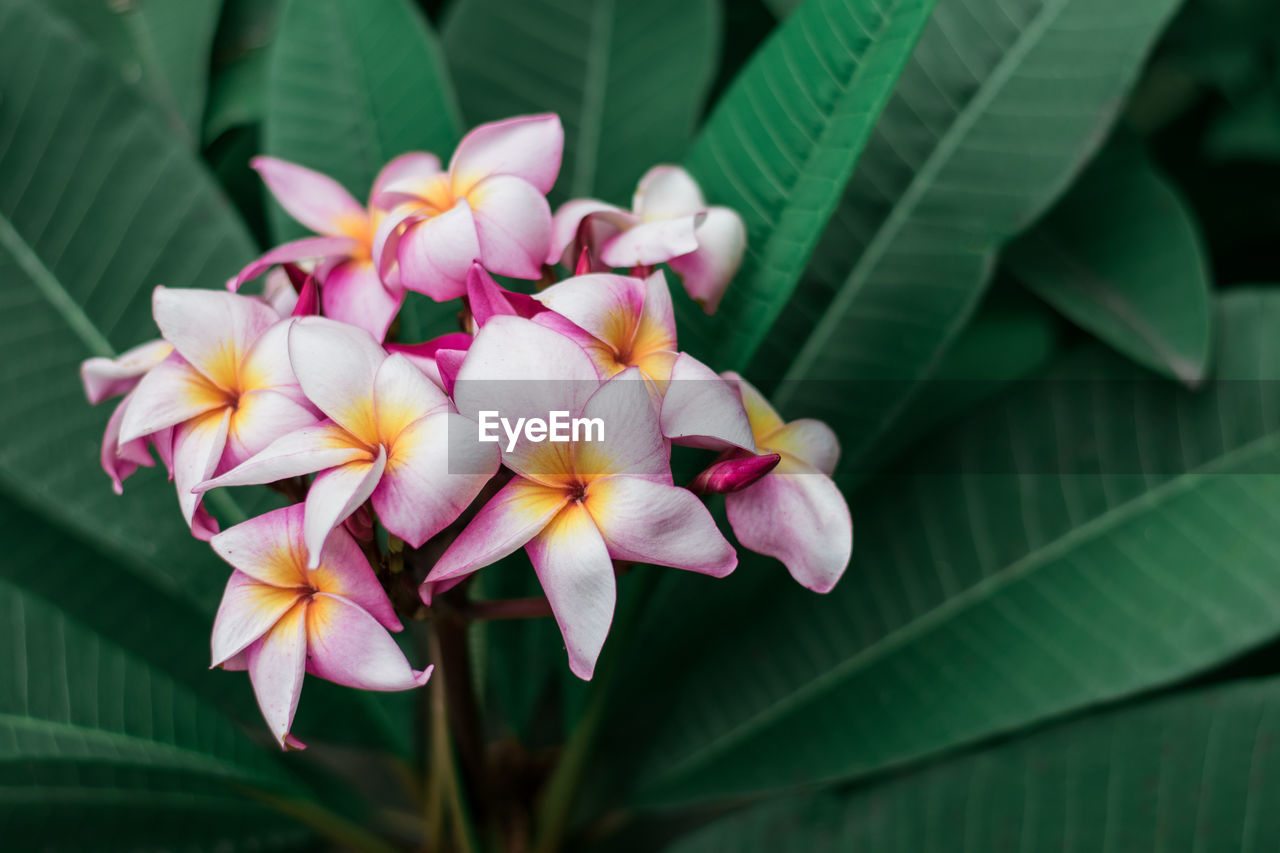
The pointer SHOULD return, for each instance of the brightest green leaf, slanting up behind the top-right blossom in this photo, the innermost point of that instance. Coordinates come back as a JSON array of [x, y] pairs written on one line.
[[783, 144]]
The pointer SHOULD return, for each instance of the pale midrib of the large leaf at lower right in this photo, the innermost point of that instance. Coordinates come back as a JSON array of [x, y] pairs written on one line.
[[985, 590]]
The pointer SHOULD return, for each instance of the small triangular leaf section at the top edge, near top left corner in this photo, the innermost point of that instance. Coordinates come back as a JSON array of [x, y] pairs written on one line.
[[161, 45]]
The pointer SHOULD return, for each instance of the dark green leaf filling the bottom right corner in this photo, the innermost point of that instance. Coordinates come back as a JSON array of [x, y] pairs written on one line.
[[1195, 772]]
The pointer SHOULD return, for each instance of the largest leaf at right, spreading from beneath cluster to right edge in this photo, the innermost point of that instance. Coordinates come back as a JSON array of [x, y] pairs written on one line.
[[1098, 533]]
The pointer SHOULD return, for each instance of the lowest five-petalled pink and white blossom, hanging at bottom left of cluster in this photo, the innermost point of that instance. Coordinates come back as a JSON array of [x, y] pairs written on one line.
[[280, 621]]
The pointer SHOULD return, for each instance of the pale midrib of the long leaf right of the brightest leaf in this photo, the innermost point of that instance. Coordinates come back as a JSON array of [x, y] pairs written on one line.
[[921, 184]]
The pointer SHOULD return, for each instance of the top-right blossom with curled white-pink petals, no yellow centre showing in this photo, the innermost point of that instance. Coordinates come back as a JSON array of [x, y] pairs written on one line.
[[669, 223]]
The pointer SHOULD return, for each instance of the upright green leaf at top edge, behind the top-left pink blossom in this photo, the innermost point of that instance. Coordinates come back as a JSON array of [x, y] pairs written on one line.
[[351, 85]]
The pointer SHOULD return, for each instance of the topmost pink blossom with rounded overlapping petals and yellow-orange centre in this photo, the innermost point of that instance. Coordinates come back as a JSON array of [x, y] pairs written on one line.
[[490, 207]]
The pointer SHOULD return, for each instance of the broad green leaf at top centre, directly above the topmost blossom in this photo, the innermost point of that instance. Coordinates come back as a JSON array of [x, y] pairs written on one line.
[[627, 79]]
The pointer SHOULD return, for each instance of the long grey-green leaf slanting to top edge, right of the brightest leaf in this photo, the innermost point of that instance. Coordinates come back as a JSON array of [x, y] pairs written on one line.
[[1000, 106]]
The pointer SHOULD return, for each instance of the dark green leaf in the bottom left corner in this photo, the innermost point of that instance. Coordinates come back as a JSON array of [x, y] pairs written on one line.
[[84, 720]]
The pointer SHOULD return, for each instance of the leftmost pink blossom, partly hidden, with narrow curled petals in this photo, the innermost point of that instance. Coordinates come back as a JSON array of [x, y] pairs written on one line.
[[104, 378]]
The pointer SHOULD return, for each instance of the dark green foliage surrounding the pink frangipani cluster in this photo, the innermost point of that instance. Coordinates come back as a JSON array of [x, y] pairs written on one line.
[[1052, 223]]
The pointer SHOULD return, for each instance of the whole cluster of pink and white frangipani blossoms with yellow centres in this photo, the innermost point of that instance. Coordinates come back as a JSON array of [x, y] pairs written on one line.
[[300, 389]]
